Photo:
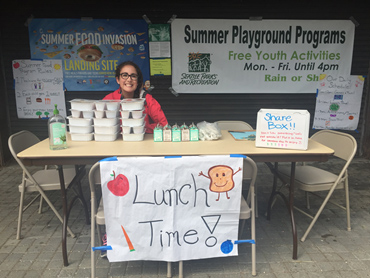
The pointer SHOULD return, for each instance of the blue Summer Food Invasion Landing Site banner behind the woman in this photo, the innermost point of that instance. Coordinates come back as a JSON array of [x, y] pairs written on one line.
[[90, 50]]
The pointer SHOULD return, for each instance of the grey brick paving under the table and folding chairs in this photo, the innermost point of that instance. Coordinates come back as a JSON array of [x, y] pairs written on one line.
[[329, 250]]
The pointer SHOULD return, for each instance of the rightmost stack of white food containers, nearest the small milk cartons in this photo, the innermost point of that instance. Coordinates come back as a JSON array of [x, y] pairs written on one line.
[[132, 117]]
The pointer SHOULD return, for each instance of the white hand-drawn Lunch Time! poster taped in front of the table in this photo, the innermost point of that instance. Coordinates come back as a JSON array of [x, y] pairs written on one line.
[[171, 209]]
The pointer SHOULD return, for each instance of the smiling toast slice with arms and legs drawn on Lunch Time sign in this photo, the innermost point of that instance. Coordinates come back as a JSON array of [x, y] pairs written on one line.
[[221, 177]]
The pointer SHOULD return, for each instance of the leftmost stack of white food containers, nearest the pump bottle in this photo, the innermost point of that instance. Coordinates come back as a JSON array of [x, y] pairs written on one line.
[[80, 121]]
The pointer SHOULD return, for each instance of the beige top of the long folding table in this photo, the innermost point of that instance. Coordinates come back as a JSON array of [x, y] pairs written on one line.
[[88, 152]]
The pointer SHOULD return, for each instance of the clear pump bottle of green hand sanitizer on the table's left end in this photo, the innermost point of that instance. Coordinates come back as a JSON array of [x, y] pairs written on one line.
[[57, 131]]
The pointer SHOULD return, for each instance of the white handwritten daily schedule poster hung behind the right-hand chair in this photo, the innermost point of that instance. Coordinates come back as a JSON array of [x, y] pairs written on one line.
[[338, 102]]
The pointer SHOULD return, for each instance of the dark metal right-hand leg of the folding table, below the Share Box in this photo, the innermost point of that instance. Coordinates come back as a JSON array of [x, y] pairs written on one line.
[[289, 202]]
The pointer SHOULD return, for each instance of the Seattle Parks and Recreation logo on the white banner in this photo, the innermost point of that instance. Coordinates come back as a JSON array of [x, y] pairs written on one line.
[[199, 70]]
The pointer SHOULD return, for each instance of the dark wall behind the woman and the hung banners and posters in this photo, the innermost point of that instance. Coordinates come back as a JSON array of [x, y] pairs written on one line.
[[184, 108]]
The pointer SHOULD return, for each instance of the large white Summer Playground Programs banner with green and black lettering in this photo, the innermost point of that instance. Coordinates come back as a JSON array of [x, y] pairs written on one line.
[[267, 56]]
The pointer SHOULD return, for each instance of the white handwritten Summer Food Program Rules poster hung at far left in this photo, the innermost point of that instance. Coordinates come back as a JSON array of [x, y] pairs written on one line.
[[38, 87]]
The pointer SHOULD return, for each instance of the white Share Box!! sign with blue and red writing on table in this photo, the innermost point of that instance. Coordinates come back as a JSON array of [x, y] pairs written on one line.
[[282, 128]]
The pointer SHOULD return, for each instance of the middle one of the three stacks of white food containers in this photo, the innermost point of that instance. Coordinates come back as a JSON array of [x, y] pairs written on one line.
[[106, 126]]
